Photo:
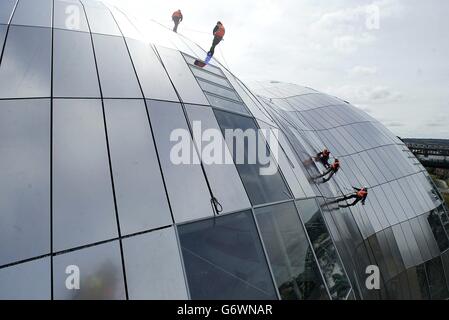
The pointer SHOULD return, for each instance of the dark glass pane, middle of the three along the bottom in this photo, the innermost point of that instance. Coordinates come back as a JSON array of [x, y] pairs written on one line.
[[291, 257]]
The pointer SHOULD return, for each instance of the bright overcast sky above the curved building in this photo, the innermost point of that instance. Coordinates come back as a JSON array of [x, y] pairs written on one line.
[[396, 67]]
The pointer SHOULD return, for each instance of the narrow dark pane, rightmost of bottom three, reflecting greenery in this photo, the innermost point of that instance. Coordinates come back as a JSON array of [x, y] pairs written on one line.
[[325, 250]]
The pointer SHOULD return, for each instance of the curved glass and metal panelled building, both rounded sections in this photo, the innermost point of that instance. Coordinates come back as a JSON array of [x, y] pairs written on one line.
[[88, 99]]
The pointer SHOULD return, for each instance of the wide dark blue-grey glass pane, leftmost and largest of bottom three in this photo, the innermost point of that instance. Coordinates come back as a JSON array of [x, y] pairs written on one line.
[[224, 259]]
